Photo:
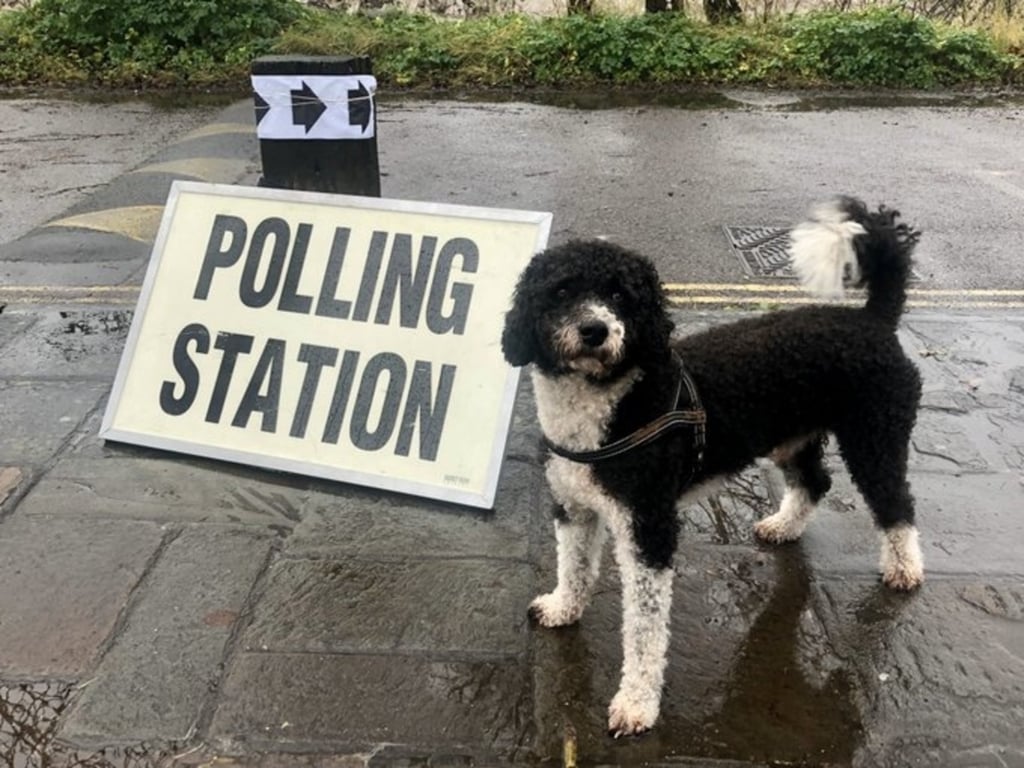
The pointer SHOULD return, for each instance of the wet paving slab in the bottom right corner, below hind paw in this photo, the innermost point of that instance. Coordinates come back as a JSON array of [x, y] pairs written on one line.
[[942, 672]]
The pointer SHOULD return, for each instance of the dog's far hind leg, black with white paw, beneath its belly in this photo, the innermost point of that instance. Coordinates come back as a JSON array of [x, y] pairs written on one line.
[[806, 482]]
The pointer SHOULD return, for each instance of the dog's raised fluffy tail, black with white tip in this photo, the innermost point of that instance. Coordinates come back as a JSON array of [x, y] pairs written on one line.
[[846, 243]]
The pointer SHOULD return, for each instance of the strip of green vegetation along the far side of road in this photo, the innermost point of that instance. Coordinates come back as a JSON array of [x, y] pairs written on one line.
[[211, 42]]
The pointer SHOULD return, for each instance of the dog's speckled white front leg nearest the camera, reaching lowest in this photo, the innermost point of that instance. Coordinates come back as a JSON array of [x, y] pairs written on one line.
[[647, 605]]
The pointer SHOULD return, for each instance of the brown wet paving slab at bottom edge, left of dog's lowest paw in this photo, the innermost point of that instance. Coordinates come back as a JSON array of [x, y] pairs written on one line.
[[411, 708]]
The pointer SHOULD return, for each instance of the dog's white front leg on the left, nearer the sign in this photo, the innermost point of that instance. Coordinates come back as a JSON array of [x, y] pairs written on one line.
[[580, 535]]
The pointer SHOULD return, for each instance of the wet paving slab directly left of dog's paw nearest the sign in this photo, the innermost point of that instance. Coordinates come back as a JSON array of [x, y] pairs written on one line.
[[447, 607]]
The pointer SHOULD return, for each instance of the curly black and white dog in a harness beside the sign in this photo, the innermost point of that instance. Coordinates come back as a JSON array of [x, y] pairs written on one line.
[[636, 424]]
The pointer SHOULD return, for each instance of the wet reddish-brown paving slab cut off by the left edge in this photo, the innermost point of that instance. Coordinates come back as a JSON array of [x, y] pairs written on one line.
[[65, 586]]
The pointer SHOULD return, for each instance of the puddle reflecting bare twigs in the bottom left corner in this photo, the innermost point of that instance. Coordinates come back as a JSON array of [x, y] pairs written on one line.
[[29, 718]]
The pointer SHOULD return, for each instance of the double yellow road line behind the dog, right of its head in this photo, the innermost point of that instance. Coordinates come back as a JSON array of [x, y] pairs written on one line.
[[763, 296]]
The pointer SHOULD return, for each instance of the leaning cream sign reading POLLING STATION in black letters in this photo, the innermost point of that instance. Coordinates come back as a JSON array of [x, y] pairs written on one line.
[[350, 338]]
